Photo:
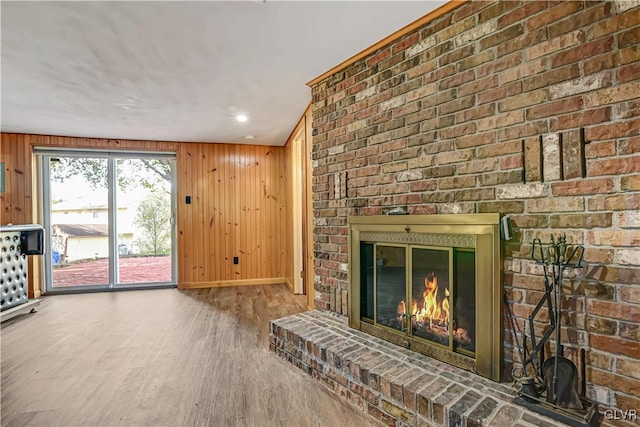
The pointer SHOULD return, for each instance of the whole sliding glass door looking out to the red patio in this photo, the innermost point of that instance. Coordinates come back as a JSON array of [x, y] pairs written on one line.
[[110, 219]]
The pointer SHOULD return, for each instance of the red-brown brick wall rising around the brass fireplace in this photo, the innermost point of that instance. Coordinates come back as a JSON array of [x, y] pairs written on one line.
[[530, 109]]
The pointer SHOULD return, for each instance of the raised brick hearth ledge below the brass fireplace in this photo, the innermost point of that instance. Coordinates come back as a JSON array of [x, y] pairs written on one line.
[[392, 384]]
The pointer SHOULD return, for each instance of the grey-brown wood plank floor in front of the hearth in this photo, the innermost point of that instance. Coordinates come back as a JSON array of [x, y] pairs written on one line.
[[160, 357]]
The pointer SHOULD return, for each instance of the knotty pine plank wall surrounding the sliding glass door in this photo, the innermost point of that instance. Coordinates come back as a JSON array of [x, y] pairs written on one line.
[[238, 205]]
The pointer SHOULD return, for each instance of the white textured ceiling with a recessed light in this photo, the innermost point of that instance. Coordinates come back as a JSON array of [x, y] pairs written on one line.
[[178, 71]]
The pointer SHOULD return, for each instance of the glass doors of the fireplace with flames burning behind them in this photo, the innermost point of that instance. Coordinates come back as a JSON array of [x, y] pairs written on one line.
[[425, 292]]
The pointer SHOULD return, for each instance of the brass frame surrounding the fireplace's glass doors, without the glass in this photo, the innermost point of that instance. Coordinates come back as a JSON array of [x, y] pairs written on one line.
[[480, 231]]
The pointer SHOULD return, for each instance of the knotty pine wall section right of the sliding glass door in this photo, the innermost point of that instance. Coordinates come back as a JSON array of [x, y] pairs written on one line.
[[238, 209]]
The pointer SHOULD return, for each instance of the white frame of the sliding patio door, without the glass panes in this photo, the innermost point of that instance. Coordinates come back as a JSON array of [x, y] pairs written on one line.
[[43, 155]]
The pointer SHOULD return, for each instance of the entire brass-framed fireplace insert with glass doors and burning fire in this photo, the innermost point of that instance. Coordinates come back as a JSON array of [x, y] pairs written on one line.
[[430, 283]]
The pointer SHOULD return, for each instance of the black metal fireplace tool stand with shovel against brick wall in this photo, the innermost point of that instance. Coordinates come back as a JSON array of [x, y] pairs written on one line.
[[552, 389]]
